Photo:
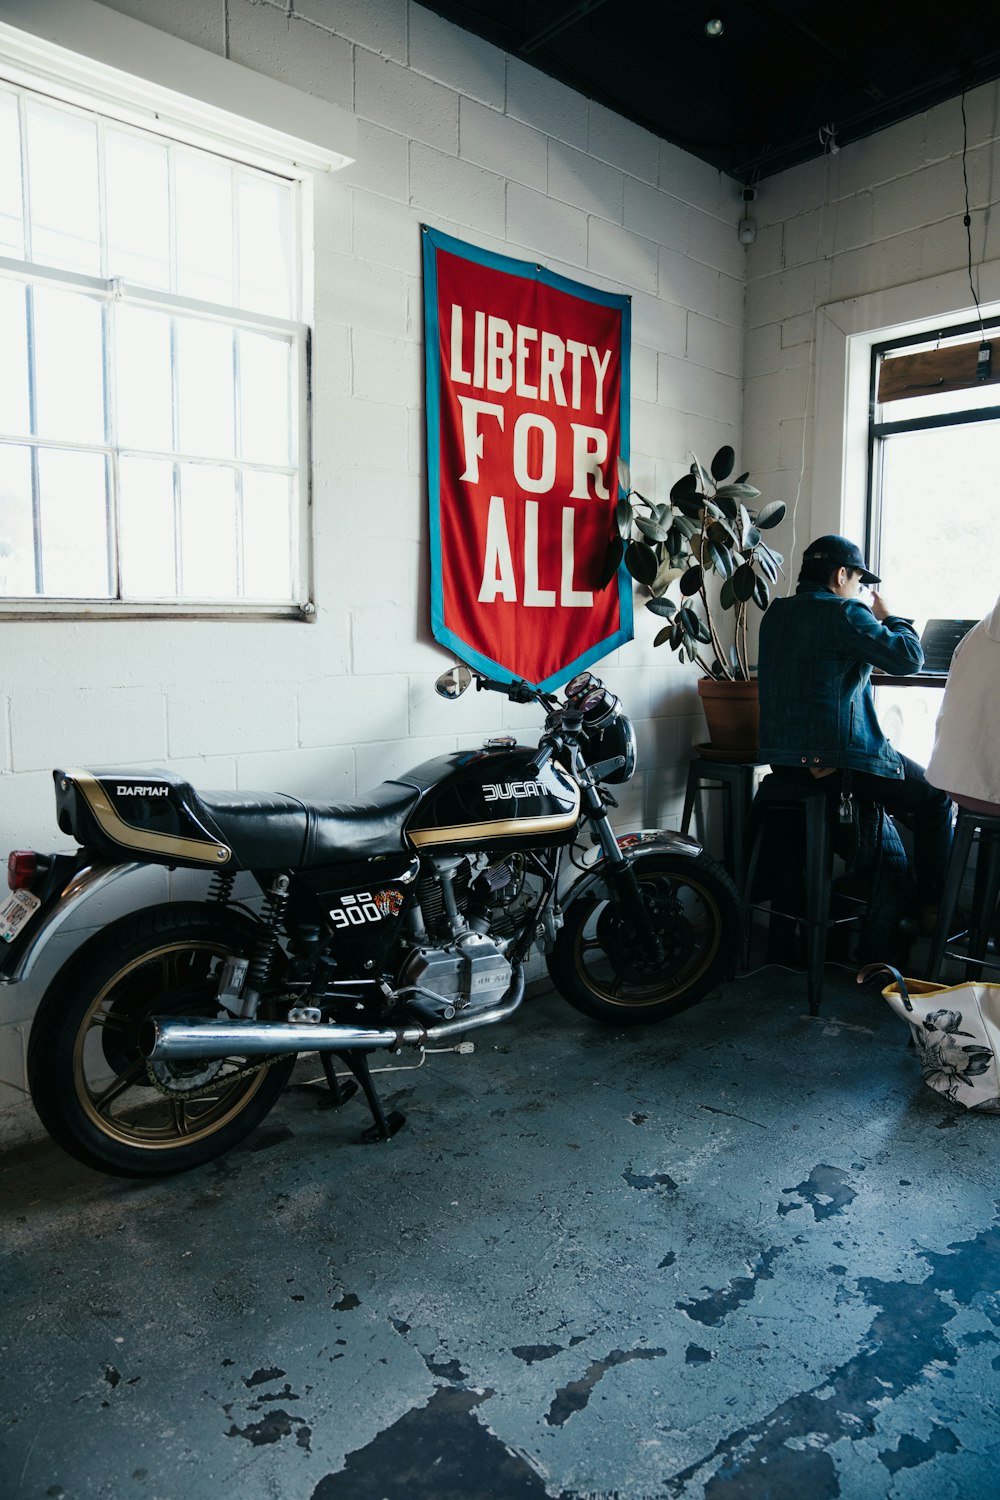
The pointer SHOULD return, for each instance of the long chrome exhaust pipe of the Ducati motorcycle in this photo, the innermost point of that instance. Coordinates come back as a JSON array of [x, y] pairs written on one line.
[[182, 1040]]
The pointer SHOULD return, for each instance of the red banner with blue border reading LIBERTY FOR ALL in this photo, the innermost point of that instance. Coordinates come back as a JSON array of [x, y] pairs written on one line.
[[527, 416]]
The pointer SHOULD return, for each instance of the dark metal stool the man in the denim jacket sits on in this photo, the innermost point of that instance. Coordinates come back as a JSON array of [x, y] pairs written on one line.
[[813, 805]]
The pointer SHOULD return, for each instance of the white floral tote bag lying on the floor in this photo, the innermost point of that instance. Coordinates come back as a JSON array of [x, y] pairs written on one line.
[[956, 1030]]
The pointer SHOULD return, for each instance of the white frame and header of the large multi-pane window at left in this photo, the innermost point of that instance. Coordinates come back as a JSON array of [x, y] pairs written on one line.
[[59, 49]]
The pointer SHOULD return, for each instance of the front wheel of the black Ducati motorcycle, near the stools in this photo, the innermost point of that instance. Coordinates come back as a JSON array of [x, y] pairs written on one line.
[[602, 967]]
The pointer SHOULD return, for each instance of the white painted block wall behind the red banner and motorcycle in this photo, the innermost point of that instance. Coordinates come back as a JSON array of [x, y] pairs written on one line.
[[457, 134]]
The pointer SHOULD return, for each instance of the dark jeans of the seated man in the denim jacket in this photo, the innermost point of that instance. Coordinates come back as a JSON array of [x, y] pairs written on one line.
[[926, 809]]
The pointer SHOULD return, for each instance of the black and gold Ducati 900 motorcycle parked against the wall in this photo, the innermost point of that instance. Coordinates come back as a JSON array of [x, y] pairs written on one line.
[[397, 922]]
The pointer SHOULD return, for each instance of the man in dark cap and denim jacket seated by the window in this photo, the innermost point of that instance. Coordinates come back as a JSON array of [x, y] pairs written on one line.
[[818, 713]]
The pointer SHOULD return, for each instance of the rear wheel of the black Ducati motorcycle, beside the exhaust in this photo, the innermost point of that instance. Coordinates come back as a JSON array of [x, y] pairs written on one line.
[[94, 1090]]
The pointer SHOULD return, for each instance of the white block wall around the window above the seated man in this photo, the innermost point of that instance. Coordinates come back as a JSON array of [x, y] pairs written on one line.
[[867, 239]]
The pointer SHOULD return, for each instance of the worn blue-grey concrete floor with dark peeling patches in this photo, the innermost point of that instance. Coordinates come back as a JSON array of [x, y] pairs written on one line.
[[741, 1255]]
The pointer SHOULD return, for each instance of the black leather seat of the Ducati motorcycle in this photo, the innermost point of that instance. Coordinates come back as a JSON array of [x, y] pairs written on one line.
[[271, 832]]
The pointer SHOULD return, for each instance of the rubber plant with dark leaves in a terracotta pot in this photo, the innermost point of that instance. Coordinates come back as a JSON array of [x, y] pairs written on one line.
[[708, 542]]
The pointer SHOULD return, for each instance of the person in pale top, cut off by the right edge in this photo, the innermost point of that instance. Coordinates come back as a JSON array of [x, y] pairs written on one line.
[[966, 757]]
